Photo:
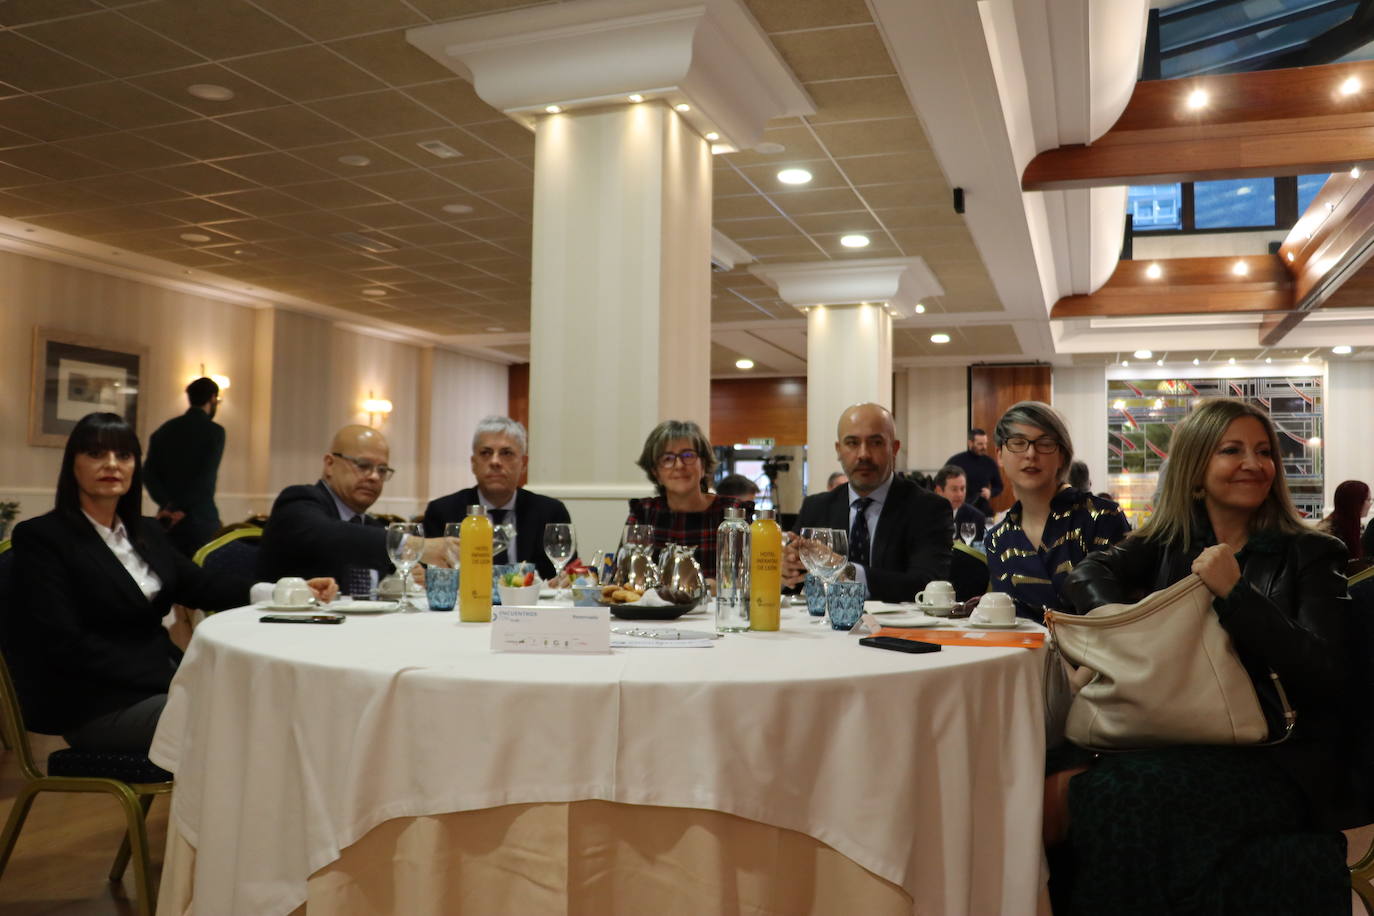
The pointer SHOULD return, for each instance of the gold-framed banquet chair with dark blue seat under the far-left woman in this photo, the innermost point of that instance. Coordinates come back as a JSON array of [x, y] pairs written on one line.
[[131, 778]]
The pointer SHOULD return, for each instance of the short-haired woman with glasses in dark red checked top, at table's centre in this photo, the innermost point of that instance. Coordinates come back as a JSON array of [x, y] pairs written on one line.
[[679, 462]]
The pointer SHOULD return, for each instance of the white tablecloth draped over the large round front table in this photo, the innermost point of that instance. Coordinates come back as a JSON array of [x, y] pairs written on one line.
[[289, 744]]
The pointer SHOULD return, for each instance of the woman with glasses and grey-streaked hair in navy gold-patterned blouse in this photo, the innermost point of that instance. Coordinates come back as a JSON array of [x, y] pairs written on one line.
[[1052, 527]]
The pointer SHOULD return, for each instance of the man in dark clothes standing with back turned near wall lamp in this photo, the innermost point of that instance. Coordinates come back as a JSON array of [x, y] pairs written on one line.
[[182, 468]]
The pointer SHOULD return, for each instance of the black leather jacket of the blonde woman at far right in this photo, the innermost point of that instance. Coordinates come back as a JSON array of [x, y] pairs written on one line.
[[1288, 613]]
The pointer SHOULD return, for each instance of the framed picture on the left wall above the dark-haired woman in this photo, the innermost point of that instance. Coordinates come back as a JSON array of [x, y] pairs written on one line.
[[75, 376]]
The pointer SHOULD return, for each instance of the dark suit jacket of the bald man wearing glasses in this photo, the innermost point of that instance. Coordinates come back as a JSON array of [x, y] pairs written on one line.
[[306, 536]]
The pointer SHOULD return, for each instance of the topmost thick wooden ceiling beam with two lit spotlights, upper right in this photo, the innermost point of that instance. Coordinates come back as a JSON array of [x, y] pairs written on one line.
[[1255, 124]]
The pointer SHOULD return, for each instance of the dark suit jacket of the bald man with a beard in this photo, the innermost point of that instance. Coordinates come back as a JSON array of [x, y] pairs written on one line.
[[912, 545]]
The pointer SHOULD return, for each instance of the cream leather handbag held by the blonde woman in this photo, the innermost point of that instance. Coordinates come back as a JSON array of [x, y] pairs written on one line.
[[1164, 674]]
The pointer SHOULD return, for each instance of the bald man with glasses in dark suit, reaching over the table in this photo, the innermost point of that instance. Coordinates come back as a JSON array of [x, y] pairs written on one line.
[[324, 529]]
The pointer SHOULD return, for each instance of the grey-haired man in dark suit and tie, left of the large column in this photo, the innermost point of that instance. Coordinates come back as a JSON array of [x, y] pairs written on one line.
[[499, 461]]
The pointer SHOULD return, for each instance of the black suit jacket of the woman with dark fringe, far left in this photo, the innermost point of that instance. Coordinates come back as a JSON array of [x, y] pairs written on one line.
[[80, 637]]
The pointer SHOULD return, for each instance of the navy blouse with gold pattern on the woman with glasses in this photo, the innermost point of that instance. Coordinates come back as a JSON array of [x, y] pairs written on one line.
[[1079, 524]]
